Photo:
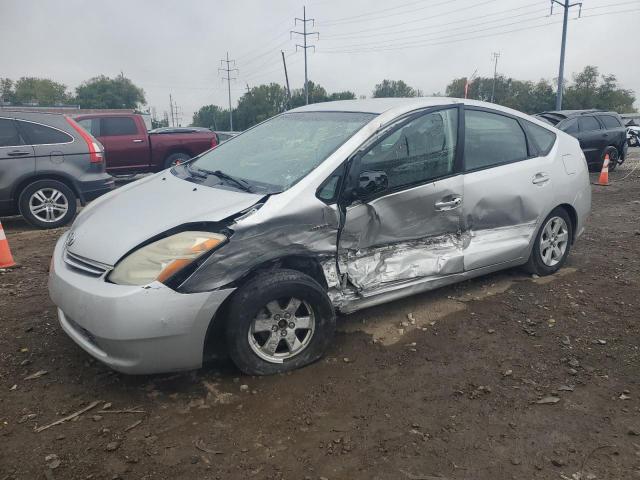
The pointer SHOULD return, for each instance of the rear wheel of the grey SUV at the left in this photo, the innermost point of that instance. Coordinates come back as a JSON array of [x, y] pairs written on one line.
[[47, 204]]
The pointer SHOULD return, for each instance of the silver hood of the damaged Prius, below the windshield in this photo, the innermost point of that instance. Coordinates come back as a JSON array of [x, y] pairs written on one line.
[[128, 216]]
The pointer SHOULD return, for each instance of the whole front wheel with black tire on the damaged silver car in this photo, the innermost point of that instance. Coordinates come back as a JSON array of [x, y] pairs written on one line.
[[261, 333]]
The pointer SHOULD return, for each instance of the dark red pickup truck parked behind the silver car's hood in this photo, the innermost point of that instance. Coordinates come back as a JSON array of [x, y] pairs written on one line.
[[130, 148]]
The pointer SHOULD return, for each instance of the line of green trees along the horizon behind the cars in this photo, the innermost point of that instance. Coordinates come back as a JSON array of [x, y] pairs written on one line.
[[588, 89]]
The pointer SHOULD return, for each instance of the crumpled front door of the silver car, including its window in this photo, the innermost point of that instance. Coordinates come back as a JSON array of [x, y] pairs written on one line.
[[409, 229]]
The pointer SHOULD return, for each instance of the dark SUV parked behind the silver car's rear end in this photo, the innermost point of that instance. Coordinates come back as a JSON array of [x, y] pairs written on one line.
[[599, 133]]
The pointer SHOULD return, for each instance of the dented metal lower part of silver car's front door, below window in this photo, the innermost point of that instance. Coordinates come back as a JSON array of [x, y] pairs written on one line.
[[402, 236]]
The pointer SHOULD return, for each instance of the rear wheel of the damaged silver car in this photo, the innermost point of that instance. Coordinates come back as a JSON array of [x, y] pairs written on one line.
[[540, 261]]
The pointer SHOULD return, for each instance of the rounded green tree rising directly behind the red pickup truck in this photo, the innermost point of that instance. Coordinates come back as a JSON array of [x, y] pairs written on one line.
[[105, 92]]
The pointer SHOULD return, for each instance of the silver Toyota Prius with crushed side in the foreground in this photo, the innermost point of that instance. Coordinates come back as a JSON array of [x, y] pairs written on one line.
[[333, 207]]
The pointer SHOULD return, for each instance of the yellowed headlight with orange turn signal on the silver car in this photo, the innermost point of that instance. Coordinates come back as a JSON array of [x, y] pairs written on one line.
[[160, 260]]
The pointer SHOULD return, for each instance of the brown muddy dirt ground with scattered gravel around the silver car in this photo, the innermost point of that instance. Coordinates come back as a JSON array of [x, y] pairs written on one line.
[[503, 377]]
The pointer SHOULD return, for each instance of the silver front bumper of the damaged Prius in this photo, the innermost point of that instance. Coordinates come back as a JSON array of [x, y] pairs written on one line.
[[135, 330]]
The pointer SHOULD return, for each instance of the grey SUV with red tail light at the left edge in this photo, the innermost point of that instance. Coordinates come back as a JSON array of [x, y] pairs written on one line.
[[47, 163]]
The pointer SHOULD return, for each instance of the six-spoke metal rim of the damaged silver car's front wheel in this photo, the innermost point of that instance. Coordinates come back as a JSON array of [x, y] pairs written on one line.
[[282, 329]]
